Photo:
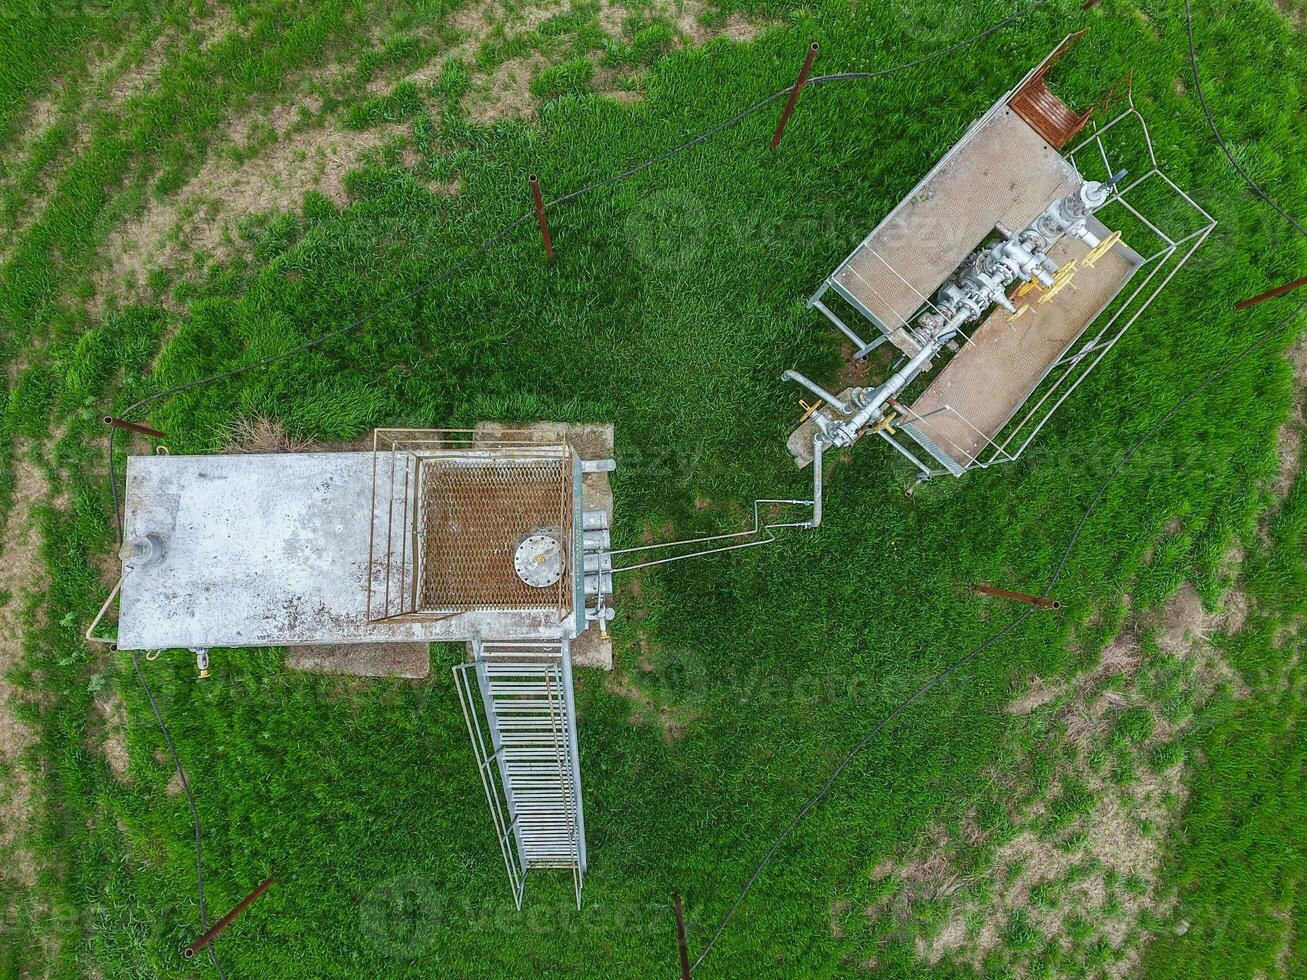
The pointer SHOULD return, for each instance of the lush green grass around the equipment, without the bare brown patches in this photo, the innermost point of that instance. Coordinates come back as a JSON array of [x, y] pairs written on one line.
[[674, 306]]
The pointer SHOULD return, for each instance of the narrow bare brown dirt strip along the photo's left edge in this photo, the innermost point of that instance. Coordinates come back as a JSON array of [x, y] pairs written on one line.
[[22, 574]]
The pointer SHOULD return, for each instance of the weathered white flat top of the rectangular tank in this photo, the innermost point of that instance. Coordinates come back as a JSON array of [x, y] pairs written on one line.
[[267, 551]]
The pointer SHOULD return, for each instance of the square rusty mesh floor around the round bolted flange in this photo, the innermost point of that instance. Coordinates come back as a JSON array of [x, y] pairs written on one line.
[[474, 515]]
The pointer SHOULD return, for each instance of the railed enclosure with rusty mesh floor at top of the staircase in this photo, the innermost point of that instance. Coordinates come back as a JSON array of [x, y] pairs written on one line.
[[449, 510]]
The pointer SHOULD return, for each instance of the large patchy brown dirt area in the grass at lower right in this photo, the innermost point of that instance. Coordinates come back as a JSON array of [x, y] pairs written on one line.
[[1080, 860]]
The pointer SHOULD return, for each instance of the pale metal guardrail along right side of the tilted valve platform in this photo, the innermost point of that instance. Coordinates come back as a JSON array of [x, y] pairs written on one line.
[[1159, 248]]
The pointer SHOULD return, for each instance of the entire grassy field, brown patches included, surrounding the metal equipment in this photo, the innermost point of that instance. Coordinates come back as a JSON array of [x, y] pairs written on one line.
[[134, 262]]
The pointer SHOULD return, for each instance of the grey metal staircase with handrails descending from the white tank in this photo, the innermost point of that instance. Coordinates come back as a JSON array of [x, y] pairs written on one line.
[[517, 700]]
